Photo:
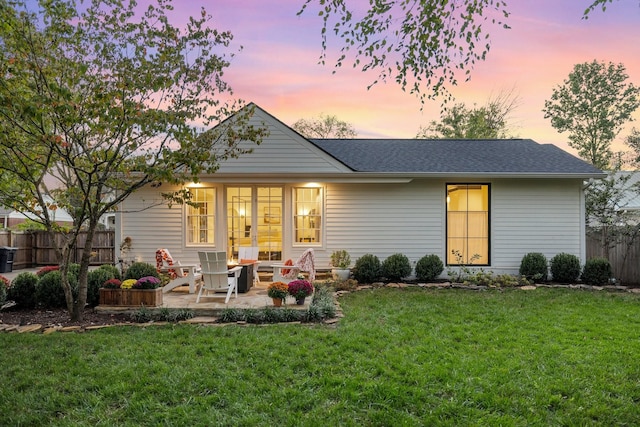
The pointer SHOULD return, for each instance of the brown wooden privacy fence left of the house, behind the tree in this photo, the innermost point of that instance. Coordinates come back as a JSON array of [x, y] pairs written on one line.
[[37, 248]]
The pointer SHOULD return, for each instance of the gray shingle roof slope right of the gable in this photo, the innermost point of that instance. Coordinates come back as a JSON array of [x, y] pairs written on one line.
[[508, 156]]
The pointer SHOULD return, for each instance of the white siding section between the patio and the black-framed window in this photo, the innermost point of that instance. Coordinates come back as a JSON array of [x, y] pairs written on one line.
[[384, 219]]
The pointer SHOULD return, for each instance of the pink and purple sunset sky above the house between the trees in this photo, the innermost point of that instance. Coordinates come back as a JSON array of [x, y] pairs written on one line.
[[278, 67]]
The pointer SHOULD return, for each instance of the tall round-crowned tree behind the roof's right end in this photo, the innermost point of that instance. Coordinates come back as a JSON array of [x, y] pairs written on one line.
[[592, 105]]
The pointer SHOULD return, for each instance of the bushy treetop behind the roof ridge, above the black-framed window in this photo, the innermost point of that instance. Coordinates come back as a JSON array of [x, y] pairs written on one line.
[[490, 121]]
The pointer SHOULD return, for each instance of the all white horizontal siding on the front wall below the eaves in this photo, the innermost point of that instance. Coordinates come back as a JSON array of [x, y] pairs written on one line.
[[526, 216]]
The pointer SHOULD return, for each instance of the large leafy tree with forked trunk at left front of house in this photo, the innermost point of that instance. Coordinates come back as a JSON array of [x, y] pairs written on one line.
[[107, 97]]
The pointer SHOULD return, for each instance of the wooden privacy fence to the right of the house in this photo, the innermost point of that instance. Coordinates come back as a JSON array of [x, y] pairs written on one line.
[[624, 258]]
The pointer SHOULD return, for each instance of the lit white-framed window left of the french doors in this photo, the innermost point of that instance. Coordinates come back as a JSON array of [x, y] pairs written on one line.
[[201, 218]]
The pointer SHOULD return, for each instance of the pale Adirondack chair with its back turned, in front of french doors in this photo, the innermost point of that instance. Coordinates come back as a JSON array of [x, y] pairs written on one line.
[[216, 277]]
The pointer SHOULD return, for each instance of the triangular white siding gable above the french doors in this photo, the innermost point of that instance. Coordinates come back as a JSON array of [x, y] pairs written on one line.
[[282, 151]]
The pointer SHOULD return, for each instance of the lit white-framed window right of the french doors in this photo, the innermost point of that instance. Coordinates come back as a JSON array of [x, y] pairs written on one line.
[[307, 215]]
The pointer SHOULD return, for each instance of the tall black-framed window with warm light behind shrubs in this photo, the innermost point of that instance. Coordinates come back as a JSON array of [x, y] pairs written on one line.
[[468, 224]]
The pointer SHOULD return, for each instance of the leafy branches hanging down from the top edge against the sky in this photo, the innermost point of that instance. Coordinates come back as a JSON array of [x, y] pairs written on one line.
[[424, 45]]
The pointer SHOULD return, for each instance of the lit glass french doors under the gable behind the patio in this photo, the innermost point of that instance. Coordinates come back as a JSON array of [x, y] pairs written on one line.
[[254, 218]]
